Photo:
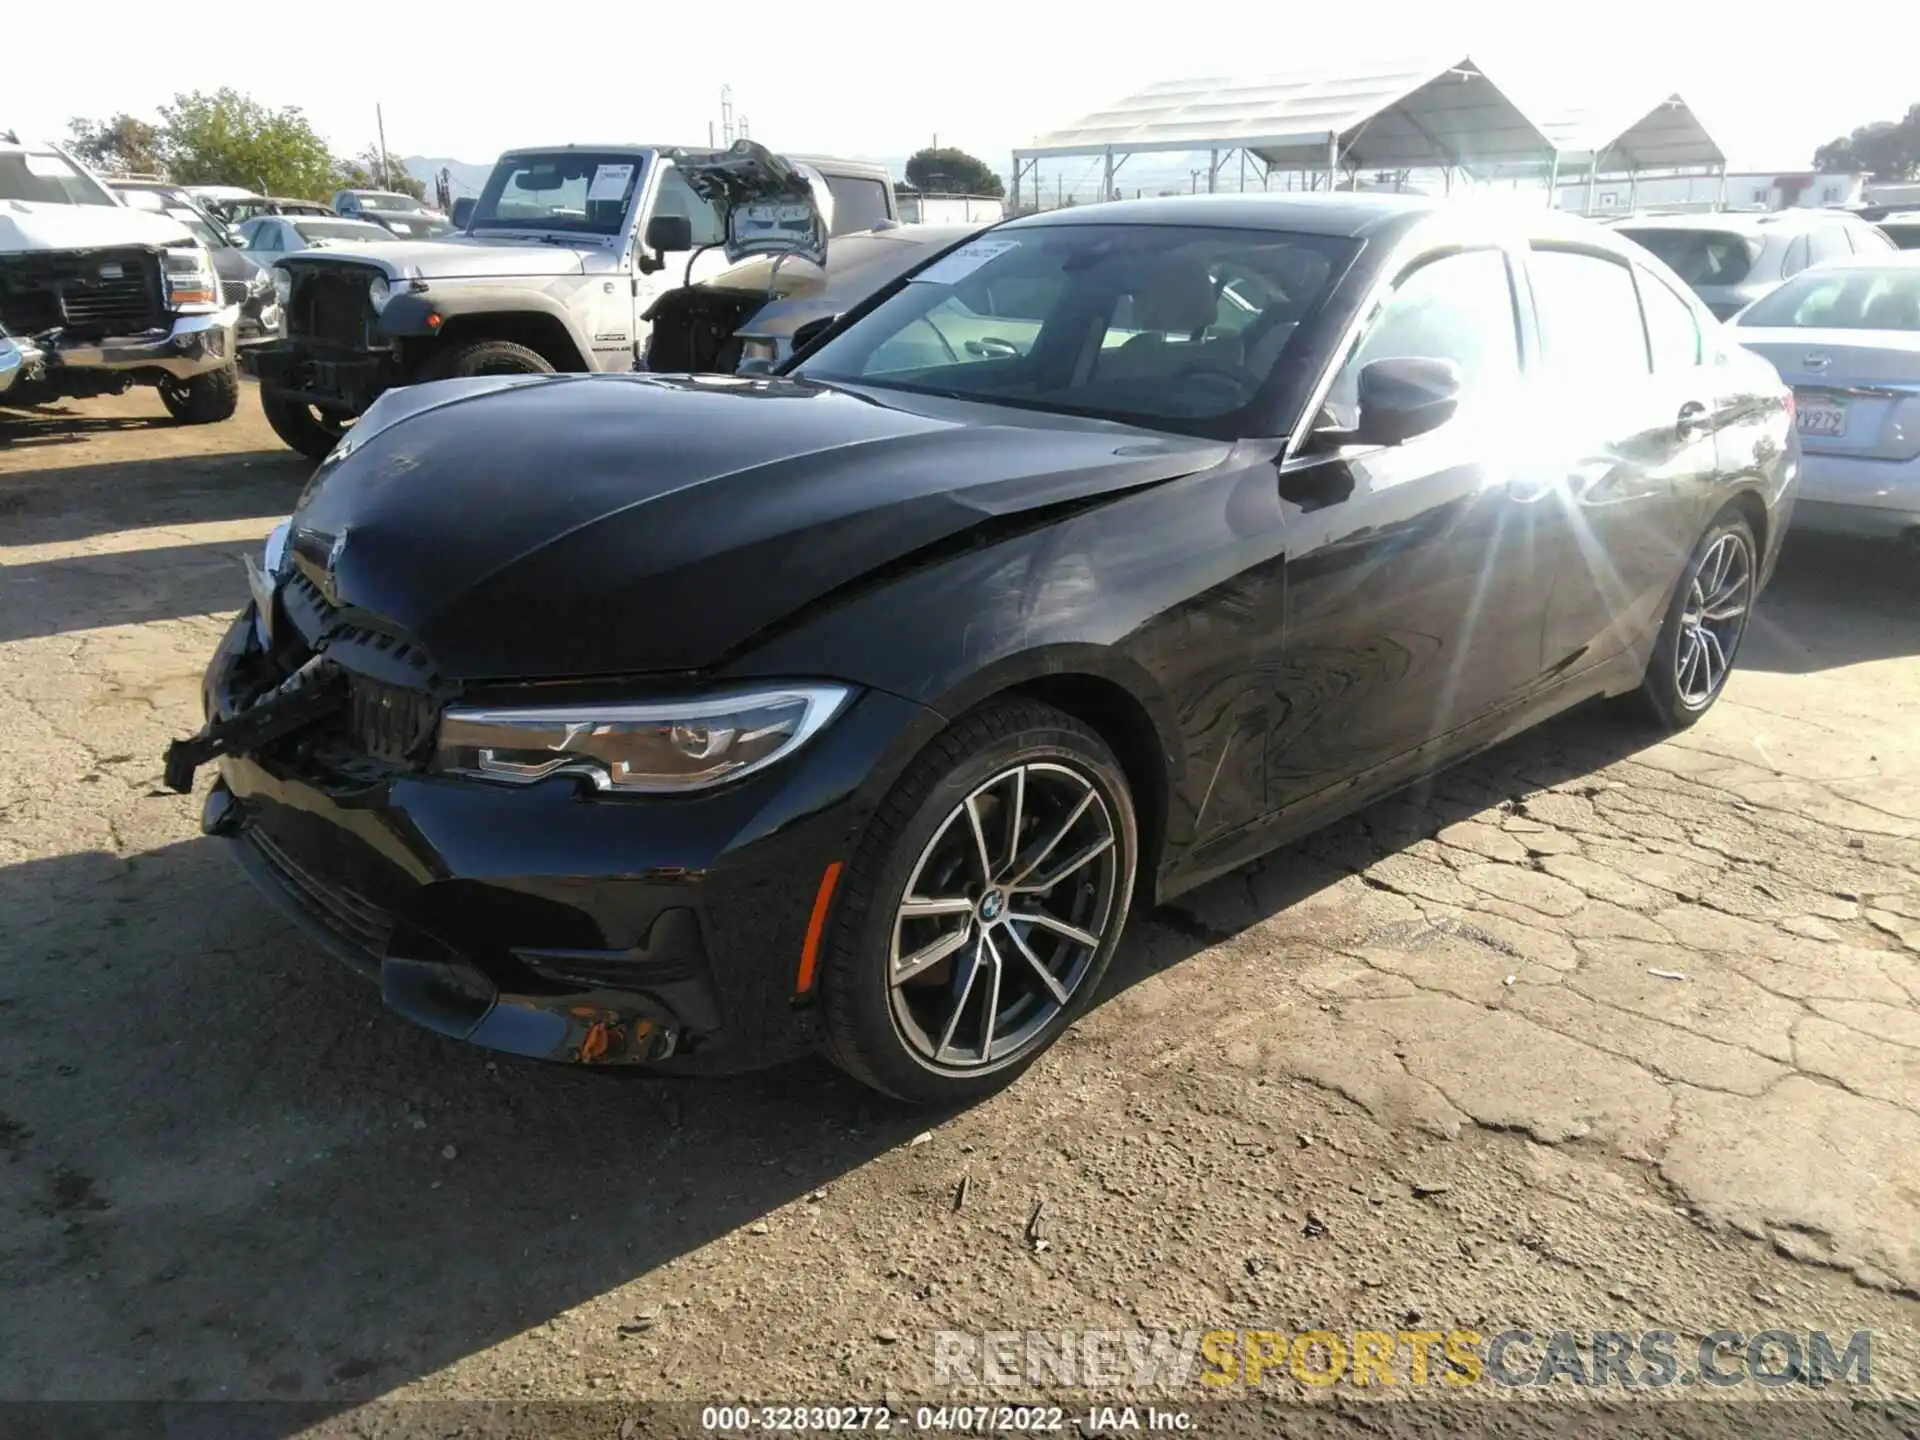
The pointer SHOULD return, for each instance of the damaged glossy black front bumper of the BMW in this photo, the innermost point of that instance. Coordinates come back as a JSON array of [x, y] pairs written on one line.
[[544, 921]]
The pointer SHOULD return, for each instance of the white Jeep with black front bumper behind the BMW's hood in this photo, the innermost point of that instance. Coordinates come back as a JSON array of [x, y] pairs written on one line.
[[558, 268]]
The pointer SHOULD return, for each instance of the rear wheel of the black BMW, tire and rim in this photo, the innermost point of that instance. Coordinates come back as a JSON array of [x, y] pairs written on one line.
[[1694, 656]]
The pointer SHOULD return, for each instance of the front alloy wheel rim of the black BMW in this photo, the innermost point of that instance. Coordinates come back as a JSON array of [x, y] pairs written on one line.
[[1003, 917]]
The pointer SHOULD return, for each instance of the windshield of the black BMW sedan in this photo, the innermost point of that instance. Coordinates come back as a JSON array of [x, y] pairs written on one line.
[[1155, 325]]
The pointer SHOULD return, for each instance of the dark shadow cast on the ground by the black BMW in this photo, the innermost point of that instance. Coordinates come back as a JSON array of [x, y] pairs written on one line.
[[228, 1155]]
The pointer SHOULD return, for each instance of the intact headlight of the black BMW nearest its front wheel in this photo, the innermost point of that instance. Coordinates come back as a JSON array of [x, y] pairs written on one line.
[[660, 748]]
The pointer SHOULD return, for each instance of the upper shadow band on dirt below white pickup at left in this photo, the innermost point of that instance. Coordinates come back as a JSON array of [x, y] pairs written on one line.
[[62, 504]]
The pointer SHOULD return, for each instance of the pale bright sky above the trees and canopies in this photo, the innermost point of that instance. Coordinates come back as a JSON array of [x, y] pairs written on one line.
[[469, 78]]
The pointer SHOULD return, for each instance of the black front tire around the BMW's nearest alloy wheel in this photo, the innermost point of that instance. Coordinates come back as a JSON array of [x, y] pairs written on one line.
[[871, 1022]]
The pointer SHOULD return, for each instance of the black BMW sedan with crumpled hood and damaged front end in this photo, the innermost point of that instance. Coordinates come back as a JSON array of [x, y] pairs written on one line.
[[706, 721]]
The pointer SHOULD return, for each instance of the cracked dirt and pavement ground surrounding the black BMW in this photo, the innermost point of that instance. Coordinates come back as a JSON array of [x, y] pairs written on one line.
[[1595, 1034]]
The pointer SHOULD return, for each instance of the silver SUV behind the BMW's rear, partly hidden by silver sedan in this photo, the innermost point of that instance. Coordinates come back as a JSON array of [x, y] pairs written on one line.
[[1735, 258]]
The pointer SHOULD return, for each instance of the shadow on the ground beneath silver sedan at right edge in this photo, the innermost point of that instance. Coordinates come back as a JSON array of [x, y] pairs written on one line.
[[1835, 602]]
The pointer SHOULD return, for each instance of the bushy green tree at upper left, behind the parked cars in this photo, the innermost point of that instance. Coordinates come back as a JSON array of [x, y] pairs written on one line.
[[233, 139]]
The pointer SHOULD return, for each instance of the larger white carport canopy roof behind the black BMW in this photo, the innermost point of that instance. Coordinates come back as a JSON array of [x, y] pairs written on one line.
[[1383, 116]]
